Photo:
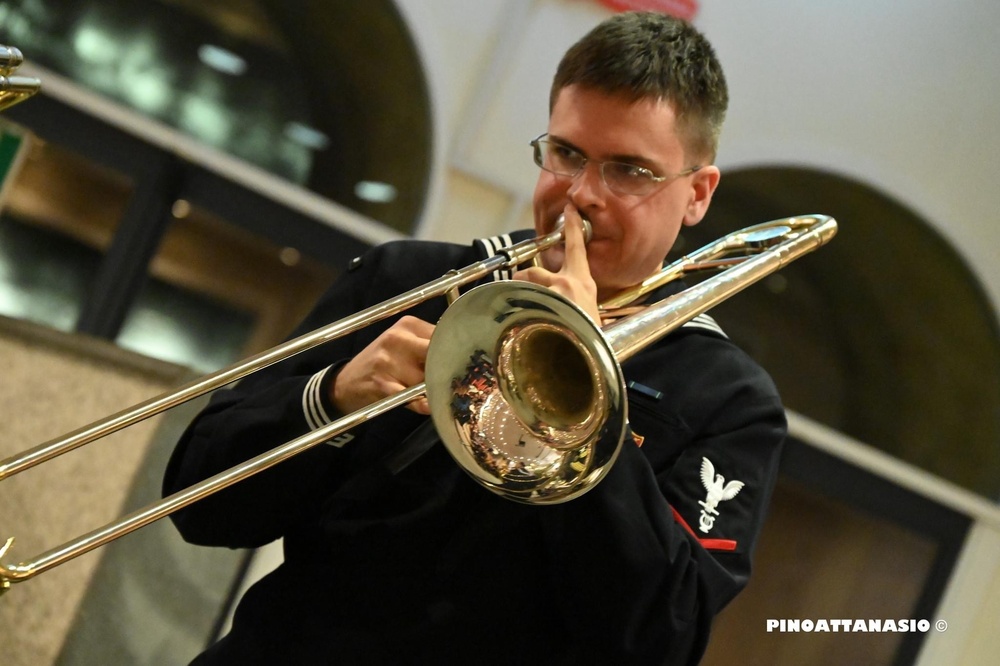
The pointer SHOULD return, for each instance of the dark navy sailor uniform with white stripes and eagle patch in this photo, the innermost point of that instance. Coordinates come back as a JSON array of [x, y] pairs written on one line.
[[424, 565]]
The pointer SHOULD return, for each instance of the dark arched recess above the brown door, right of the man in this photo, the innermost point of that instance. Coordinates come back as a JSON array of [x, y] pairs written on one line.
[[884, 334]]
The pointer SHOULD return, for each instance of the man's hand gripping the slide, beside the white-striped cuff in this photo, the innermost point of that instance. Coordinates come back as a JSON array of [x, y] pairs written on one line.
[[392, 362]]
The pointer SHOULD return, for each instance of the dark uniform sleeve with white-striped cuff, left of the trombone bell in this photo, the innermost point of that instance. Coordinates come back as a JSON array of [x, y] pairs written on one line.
[[265, 410]]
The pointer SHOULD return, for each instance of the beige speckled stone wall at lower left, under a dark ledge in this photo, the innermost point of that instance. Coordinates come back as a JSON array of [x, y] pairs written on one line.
[[53, 383]]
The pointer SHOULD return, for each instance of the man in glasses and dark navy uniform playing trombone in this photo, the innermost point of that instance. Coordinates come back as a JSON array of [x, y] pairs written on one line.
[[389, 562]]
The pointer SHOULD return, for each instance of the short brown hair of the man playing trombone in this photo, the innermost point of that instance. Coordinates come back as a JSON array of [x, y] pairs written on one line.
[[643, 55]]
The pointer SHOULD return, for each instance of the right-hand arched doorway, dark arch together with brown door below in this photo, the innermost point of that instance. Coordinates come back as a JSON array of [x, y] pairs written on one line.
[[885, 336]]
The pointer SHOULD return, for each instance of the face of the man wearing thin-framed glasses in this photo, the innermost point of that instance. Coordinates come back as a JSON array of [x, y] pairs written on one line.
[[632, 234]]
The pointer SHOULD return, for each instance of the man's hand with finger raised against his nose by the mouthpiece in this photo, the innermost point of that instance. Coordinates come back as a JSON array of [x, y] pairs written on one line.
[[573, 279]]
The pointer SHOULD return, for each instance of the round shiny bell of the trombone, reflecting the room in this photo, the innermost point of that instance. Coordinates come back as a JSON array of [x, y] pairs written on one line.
[[525, 392]]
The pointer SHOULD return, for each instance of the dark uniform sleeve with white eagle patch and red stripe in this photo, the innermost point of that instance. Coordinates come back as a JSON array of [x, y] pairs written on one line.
[[660, 546]]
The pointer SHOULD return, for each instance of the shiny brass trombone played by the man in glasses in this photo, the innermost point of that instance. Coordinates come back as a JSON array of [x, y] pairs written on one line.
[[521, 429]]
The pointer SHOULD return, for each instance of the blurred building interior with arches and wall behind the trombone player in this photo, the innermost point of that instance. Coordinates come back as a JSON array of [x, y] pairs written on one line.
[[193, 175]]
